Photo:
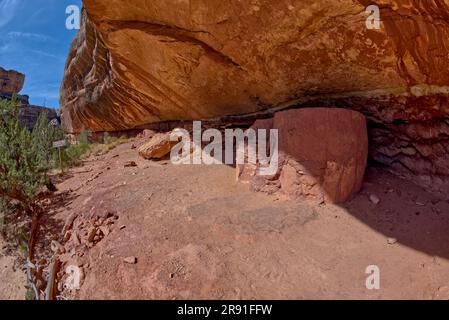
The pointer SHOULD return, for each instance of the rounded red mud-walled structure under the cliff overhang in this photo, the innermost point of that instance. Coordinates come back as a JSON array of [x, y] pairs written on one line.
[[323, 155]]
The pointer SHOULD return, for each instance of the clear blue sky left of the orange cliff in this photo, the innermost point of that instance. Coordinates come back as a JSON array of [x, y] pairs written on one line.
[[34, 40]]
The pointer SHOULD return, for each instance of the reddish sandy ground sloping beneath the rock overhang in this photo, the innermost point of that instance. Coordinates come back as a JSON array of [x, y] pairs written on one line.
[[198, 234]]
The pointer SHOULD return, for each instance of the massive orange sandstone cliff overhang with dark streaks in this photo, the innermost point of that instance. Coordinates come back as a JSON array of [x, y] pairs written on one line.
[[146, 61]]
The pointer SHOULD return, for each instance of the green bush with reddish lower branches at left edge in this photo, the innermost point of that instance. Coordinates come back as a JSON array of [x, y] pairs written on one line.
[[25, 160]]
